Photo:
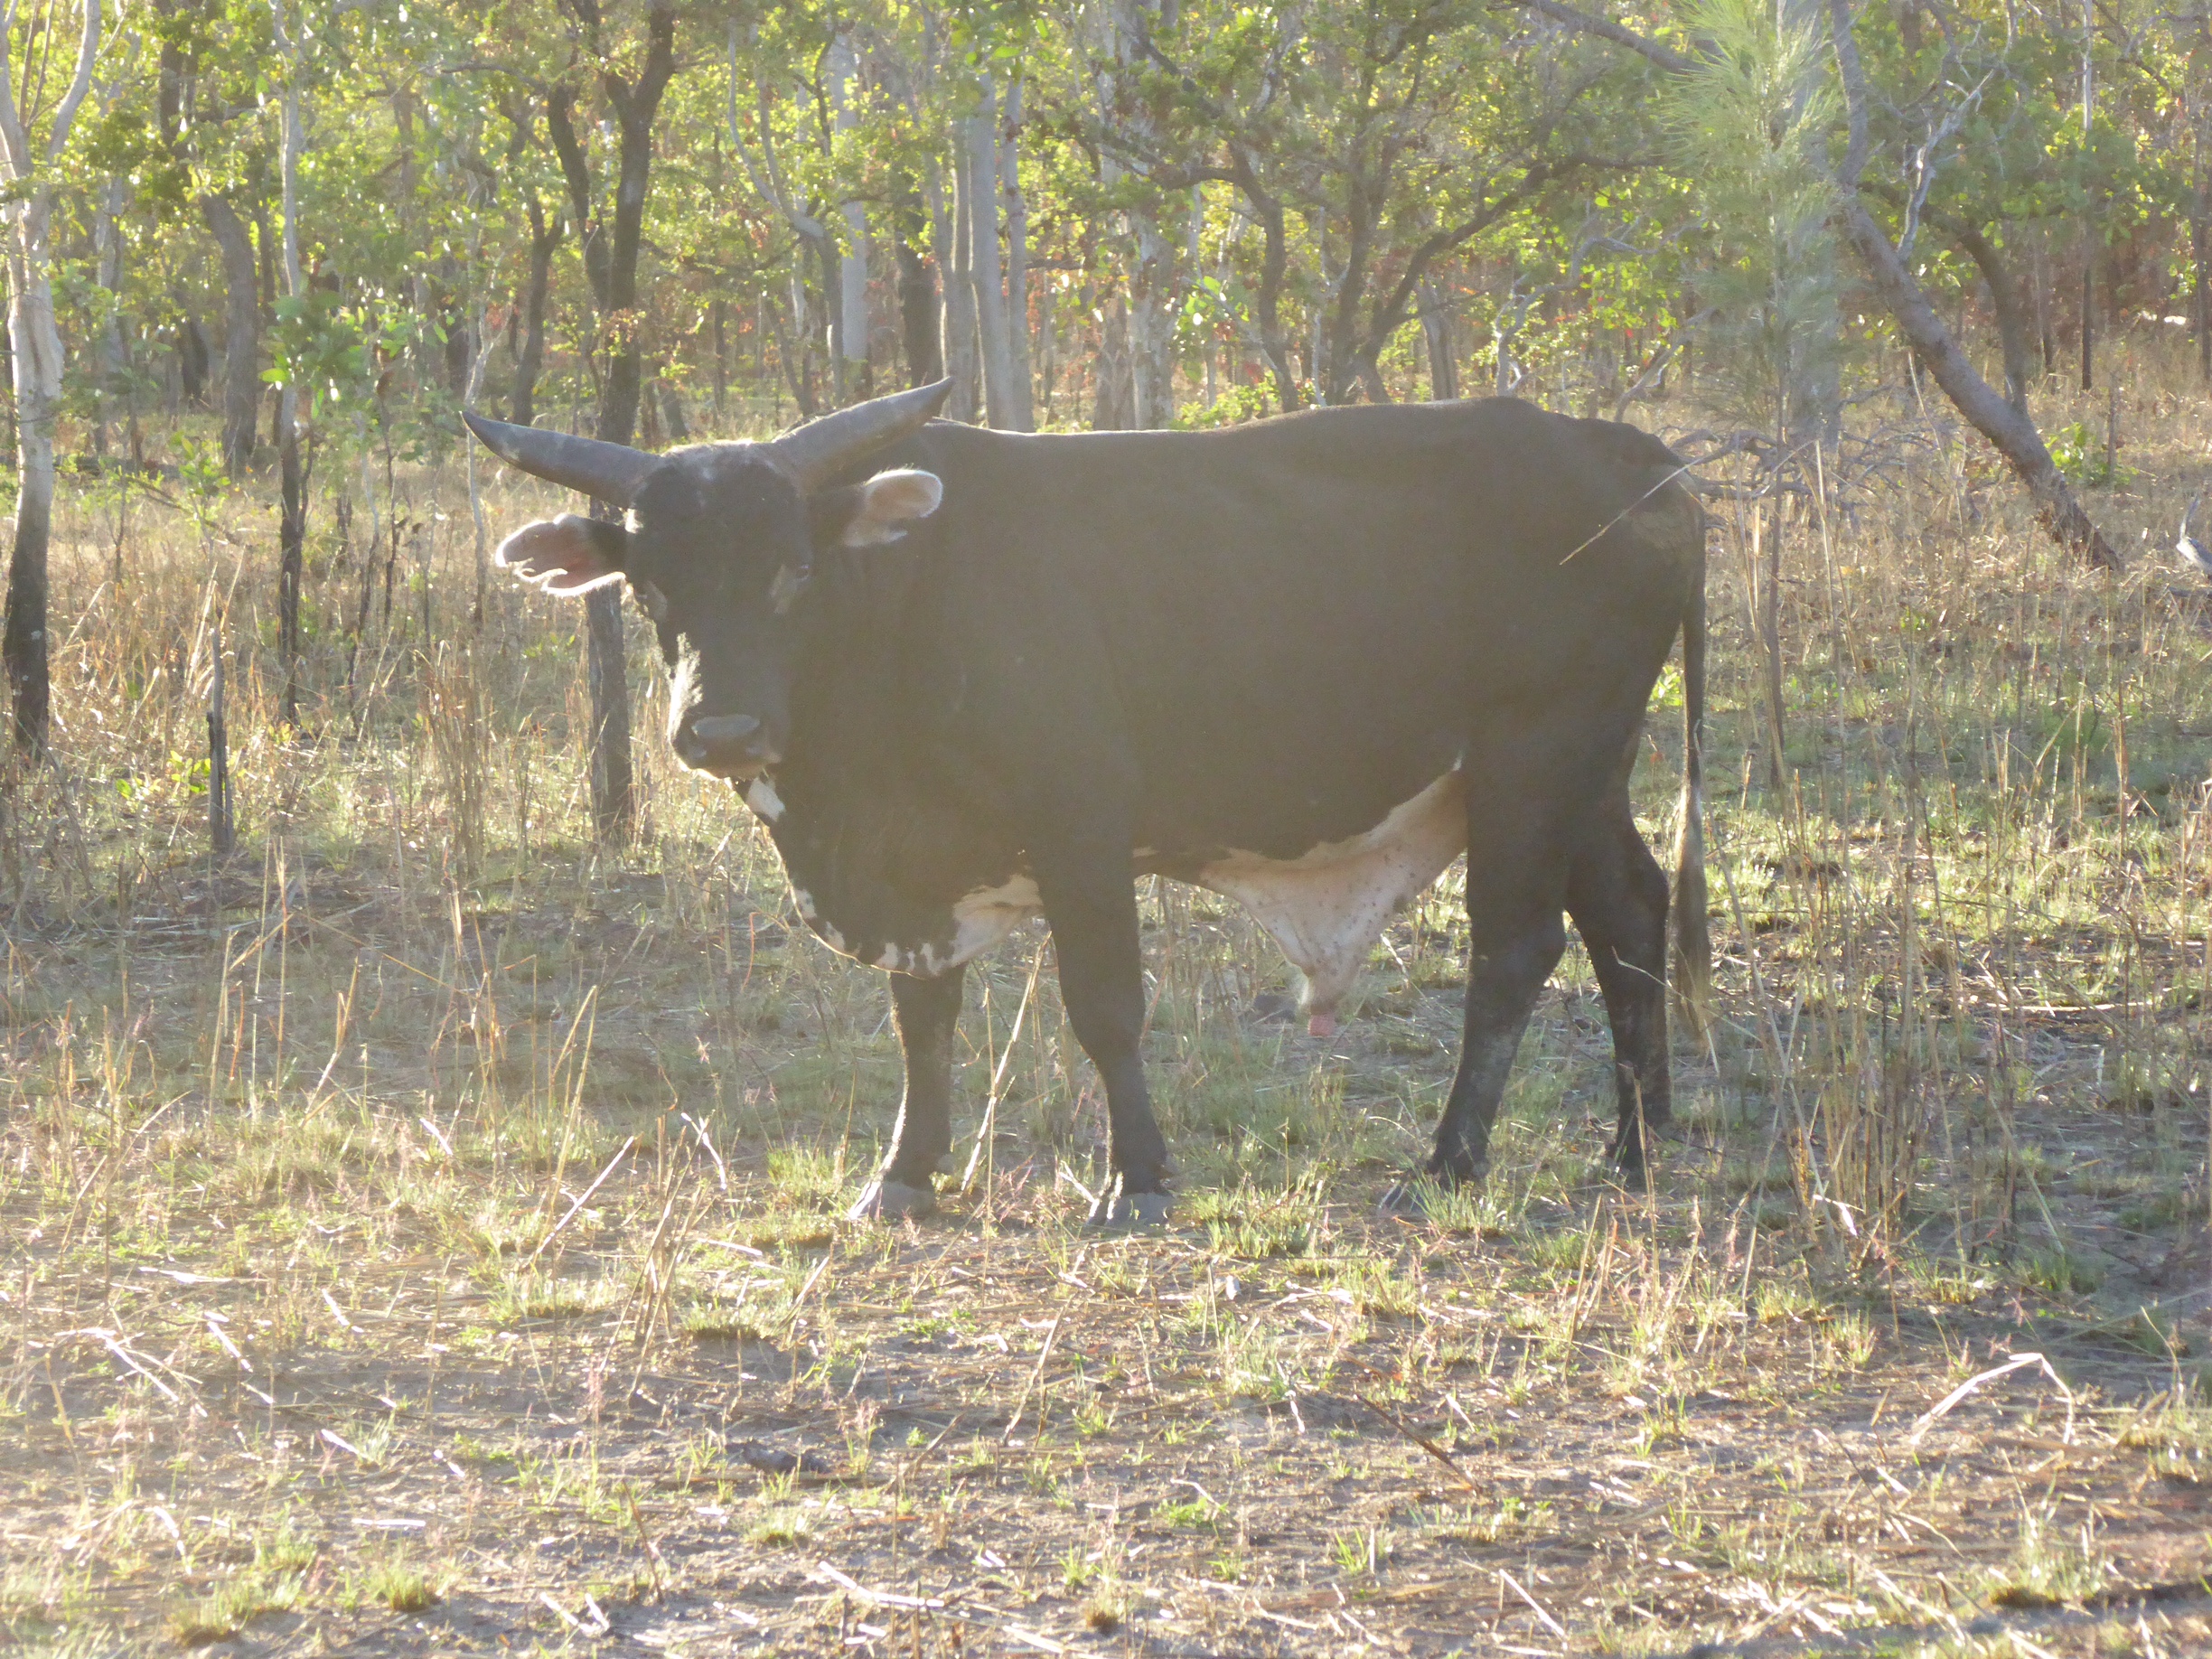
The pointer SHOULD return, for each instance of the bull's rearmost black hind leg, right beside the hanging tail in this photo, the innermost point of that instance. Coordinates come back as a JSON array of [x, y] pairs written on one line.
[[1618, 899]]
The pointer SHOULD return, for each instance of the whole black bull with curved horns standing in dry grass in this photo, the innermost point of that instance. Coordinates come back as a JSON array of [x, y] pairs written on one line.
[[972, 676]]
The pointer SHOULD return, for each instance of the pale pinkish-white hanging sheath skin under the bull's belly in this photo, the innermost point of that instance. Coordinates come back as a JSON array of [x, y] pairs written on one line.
[[1326, 908]]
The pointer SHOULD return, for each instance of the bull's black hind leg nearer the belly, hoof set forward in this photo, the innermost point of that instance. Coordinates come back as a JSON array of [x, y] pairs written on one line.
[[1516, 893]]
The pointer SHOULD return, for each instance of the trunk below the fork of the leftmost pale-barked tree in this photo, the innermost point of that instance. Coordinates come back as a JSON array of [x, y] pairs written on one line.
[[39, 399]]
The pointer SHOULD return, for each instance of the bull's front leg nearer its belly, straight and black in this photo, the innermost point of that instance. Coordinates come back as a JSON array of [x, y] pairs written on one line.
[[1092, 906]]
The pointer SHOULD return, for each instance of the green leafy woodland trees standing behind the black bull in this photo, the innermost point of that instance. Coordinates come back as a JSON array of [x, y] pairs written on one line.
[[656, 222]]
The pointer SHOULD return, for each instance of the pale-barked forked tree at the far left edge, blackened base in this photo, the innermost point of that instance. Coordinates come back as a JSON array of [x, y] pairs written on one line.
[[39, 373]]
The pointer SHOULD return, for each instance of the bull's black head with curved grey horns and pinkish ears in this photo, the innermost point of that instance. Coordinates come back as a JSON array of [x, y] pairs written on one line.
[[718, 545]]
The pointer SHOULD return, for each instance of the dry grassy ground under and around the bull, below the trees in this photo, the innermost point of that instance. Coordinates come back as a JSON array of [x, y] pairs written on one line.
[[426, 1233]]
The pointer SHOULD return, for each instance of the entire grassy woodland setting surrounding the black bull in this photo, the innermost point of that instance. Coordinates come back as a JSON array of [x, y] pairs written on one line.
[[426, 1127]]
